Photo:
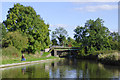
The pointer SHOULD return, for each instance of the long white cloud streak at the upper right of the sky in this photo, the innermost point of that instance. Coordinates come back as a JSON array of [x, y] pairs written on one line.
[[97, 8]]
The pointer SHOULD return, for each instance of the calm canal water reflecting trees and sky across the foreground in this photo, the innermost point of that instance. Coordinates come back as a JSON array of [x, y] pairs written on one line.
[[64, 68]]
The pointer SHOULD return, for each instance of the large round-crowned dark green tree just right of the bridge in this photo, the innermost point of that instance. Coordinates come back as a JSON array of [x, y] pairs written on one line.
[[93, 36]]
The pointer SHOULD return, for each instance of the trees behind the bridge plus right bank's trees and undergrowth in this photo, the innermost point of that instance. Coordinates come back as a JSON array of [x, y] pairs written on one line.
[[94, 40]]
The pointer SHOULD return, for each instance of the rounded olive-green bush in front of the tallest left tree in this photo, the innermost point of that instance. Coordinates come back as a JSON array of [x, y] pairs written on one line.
[[15, 39]]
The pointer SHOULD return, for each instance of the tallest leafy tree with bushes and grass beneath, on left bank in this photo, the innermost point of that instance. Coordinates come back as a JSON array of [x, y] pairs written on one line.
[[24, 31]]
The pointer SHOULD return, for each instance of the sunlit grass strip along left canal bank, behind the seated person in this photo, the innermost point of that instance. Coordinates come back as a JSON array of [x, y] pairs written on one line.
[[29, 57]]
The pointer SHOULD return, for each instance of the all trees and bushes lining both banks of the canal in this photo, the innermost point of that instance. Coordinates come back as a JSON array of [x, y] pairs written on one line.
[[24, 31]]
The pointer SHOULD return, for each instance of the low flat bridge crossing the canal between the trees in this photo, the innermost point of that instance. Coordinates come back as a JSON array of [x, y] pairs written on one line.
[[57, 50]]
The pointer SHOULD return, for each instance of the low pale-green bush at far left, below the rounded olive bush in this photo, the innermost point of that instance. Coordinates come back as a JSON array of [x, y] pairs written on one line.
[[10, 51]]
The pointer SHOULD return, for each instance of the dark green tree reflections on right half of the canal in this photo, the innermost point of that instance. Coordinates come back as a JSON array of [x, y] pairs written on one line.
[[84, 69]]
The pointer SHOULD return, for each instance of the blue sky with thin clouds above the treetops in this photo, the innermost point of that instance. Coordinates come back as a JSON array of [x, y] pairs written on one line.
[[71, 14]]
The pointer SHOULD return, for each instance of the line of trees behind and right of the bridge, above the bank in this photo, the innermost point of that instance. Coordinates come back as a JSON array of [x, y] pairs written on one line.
[[91, 37]]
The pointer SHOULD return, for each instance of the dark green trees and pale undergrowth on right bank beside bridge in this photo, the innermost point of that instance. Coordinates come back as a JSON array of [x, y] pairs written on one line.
[[96, 40]]
